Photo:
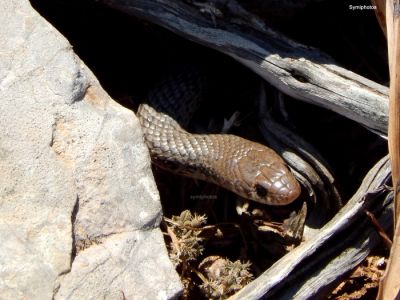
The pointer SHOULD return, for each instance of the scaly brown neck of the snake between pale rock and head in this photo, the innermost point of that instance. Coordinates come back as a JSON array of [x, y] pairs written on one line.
[[171, 147]]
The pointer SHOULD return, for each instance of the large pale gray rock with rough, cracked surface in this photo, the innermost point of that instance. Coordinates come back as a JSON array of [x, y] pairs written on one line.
[[73, 172]]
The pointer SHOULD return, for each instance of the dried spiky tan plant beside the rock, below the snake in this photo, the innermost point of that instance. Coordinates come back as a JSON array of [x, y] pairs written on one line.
[[220, 277]]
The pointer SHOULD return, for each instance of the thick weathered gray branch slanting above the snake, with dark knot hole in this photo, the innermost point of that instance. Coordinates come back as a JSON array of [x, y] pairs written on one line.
[[299, 71]]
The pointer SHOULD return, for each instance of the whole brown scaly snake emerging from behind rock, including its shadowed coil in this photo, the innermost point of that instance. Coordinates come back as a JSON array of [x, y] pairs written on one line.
[[249, 169]]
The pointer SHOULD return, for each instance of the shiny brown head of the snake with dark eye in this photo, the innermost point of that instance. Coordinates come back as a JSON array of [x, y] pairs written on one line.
[[266, 178]]
